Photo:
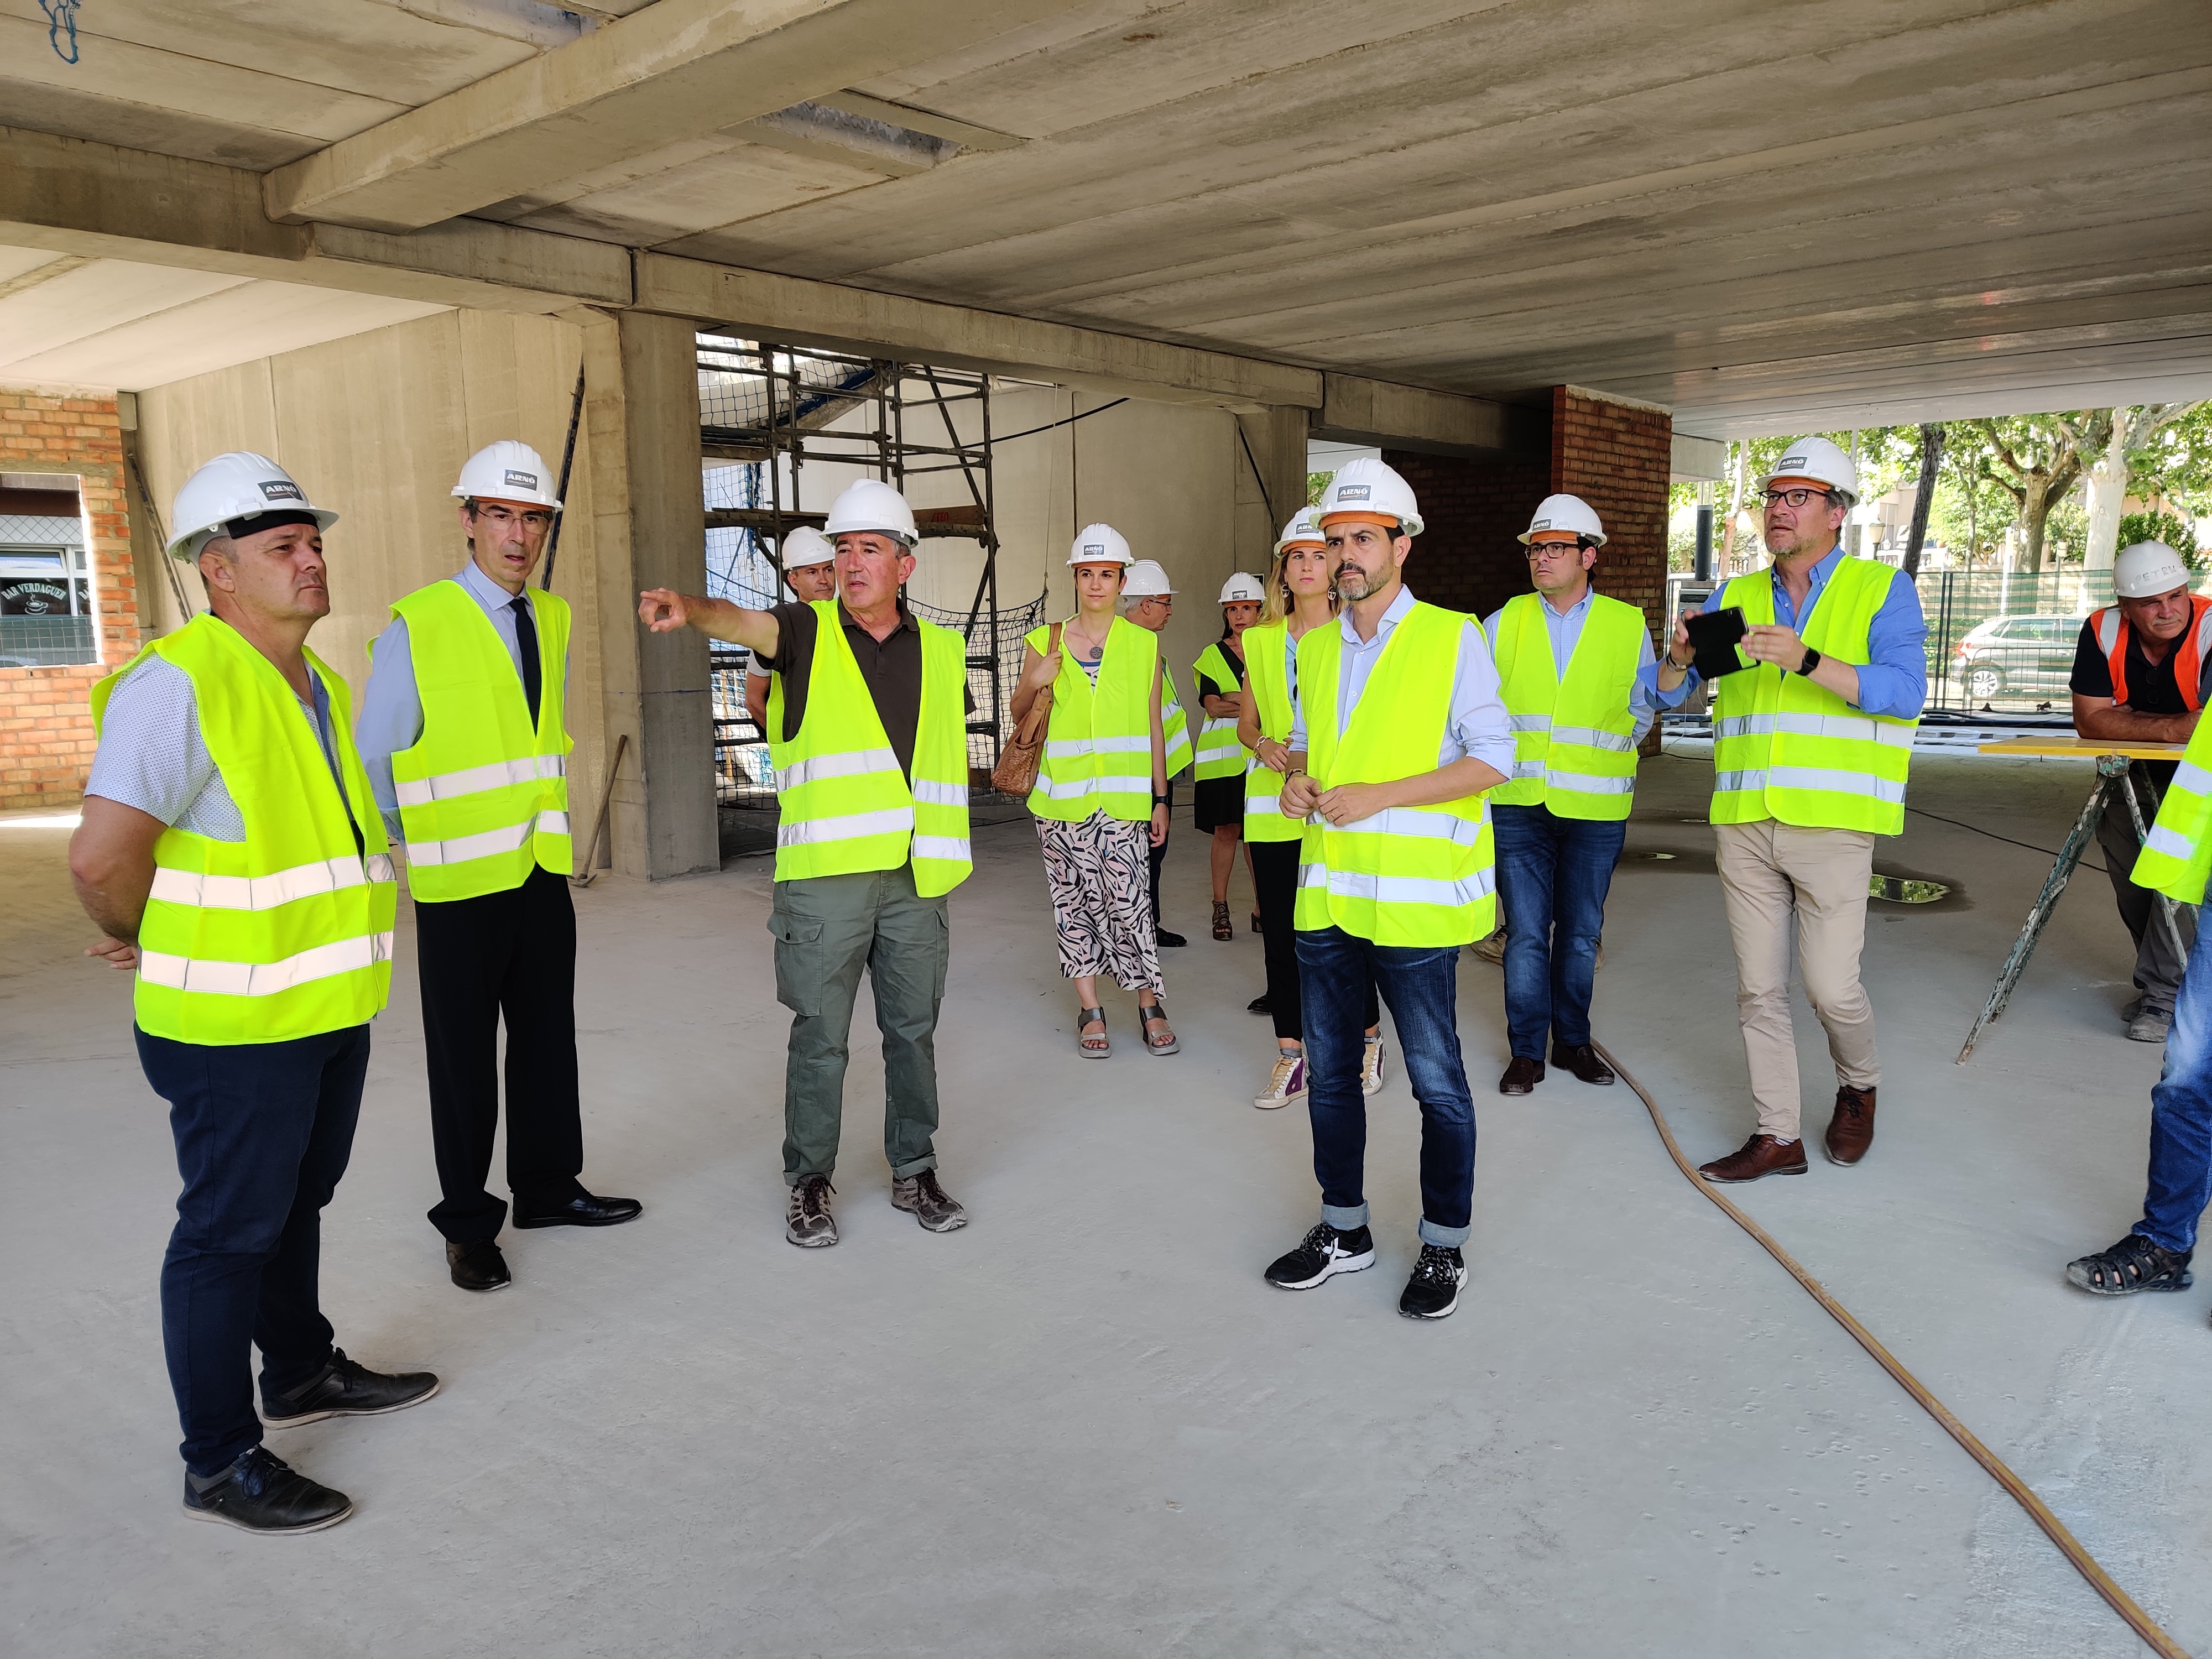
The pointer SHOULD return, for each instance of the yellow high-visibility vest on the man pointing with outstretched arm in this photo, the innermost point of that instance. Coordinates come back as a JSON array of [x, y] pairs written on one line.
[[846, 806]]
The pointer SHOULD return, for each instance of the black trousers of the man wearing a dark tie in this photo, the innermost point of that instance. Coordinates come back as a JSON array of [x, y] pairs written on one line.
[[501, 957]]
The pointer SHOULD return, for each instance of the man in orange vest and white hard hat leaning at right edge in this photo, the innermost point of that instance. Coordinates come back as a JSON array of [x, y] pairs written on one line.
[[2142, 676]]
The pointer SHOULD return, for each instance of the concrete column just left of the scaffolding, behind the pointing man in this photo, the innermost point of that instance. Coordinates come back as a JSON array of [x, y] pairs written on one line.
[[649, 532]]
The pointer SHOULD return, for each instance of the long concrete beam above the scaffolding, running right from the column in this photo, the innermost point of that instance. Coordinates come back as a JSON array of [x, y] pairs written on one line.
[[857, 320]]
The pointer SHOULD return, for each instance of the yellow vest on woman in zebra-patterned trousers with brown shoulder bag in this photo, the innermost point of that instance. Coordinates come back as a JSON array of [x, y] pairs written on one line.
[[1098, 747]]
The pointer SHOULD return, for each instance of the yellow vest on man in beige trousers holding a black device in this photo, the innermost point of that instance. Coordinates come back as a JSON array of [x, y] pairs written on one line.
[[1793, 751]]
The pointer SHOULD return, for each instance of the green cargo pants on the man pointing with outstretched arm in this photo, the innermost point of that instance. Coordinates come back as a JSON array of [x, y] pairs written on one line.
[[831, 928]]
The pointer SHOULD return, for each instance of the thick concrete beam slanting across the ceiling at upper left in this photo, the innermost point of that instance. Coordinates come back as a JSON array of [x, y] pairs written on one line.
[[669, 72]]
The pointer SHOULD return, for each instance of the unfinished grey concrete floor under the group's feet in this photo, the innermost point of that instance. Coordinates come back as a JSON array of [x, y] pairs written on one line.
[[1085, 1426]]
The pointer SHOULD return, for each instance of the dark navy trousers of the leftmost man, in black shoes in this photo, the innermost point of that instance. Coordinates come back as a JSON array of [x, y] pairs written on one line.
[[264, 1131]]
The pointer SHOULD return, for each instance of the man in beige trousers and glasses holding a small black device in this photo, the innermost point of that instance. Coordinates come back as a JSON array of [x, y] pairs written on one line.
[[1811, 753]]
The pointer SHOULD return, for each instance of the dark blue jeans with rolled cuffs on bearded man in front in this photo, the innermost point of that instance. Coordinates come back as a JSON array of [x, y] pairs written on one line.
[[1421, 990]]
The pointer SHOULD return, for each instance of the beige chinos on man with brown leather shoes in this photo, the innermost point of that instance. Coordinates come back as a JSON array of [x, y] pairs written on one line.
[[1768, 875]]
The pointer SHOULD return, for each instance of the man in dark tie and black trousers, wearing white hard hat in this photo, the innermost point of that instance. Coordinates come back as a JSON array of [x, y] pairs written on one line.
[[468, 751]]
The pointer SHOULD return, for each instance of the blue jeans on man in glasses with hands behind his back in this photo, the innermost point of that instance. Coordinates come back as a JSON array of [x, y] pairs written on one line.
[[1552, 881]]
